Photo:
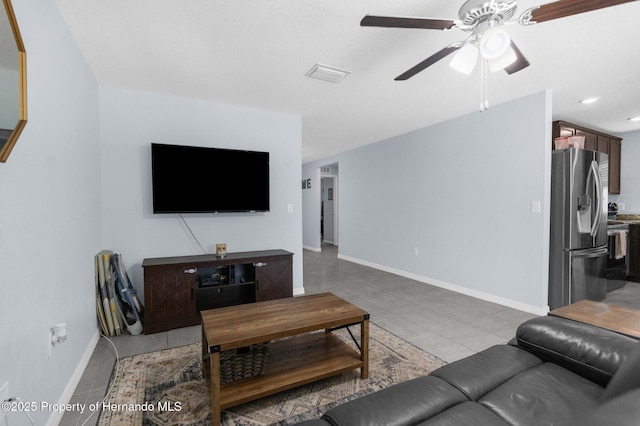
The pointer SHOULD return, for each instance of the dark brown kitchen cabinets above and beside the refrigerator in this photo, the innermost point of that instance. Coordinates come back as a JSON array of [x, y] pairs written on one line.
[[596, 141]]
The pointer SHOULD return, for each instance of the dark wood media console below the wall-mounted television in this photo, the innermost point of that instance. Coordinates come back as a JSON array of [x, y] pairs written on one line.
[[176, 289]]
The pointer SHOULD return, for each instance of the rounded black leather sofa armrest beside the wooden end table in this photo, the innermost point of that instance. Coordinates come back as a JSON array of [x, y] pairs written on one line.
[[592, 352]]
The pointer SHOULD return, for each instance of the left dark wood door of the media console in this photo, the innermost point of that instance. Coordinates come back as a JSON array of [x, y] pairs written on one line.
[[169, 299]]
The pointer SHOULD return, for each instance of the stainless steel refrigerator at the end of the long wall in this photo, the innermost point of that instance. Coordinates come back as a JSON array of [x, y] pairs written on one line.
[[578, 245]]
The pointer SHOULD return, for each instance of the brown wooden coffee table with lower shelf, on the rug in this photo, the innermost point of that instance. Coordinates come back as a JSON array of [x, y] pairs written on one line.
[[303, 357]]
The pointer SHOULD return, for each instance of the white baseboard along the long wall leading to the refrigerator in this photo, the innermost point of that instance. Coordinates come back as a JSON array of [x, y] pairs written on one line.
[[536, 310]]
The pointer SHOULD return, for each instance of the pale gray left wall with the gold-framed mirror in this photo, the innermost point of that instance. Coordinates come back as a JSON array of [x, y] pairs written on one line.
[[50, 217]]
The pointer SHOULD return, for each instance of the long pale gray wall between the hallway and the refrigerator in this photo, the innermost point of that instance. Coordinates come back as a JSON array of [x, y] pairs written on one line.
[[461, 193]]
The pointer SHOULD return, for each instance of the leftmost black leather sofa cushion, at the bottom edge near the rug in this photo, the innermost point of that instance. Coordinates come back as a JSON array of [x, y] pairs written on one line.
[[406, 403]]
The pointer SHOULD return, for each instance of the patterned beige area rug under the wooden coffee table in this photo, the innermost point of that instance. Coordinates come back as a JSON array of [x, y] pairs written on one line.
[[167, 388]]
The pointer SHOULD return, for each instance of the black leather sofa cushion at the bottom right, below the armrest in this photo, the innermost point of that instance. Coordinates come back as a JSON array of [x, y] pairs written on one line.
[[544, 395]]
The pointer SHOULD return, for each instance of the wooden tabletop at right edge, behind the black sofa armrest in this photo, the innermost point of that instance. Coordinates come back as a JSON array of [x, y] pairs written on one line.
[[621, 320]]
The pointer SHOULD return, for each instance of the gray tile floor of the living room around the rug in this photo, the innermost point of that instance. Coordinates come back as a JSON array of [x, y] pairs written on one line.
[[444, 323]]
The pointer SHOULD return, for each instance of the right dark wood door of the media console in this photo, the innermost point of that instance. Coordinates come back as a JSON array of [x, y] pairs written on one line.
[[274, 280]]
